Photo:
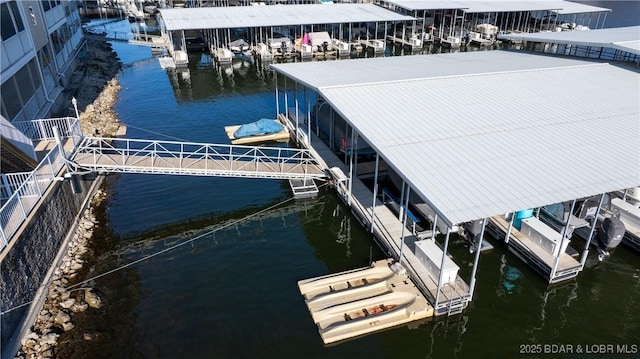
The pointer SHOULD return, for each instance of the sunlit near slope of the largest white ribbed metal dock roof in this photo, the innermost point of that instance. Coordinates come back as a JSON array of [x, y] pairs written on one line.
[[481, 144]]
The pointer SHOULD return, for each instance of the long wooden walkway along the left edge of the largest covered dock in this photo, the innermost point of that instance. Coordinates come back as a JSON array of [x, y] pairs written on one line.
[[388, 231]]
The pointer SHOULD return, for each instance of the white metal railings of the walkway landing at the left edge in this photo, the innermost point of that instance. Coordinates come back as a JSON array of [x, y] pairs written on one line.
[[24, 190]]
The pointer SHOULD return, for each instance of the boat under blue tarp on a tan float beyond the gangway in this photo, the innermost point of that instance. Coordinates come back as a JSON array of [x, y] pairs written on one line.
[[263, 130]]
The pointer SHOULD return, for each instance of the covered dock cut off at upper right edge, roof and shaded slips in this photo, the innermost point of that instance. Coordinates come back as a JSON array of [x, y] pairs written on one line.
[[619, 44]]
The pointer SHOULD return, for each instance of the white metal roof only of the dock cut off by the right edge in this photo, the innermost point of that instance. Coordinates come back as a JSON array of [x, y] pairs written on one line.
[[621, 38]]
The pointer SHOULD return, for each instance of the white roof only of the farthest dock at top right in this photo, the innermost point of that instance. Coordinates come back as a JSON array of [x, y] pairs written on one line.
[[474, 6]]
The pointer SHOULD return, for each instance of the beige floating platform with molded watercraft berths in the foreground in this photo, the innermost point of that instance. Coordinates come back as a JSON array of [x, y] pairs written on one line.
[[361, 301]]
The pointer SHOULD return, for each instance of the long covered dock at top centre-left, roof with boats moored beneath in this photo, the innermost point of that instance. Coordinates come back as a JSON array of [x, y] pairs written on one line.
[[217, 27]]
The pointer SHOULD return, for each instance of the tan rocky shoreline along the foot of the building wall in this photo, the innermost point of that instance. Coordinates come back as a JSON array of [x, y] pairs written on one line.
[[95, 87]]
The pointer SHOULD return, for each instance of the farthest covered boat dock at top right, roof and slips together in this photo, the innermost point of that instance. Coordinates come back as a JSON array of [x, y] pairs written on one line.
[[444, 19]]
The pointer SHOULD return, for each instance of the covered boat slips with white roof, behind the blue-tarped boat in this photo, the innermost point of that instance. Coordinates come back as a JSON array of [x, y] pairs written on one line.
[[219, 26]]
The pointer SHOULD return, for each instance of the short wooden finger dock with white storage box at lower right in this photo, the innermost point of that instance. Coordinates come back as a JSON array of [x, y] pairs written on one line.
[[536, 256]]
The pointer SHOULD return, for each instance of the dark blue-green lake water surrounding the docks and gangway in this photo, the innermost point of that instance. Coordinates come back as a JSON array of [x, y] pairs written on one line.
[[232, 293]]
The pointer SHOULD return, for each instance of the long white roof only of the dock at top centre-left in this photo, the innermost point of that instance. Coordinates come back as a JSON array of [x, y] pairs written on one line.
[[274, 15]]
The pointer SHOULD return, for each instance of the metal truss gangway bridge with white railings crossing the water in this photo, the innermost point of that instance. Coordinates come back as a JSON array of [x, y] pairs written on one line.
[[103, 155]]
